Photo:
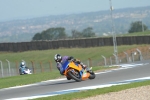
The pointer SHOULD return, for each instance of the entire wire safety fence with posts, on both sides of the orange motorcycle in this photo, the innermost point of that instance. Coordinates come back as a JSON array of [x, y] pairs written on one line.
[[9, 68]]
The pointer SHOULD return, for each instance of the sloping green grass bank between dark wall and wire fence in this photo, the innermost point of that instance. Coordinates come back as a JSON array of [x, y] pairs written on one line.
[[48, 55]]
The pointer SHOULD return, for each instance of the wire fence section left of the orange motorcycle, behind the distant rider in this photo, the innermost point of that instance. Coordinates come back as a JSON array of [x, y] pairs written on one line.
[[9, 68]]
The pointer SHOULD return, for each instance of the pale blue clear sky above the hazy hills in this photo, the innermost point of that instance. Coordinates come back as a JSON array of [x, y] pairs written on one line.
[[25, 9]]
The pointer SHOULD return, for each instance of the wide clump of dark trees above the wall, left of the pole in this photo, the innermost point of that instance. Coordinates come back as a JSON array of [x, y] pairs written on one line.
[[59, 33]]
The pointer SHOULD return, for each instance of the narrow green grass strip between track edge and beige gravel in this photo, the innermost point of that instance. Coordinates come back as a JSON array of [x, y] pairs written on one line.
[[94, 92]]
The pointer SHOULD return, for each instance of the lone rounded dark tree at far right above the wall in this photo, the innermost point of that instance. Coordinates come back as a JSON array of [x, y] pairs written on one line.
[[137, 27]]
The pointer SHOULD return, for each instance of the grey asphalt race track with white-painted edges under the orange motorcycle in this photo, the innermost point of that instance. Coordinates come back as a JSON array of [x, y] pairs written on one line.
[[126, 72]]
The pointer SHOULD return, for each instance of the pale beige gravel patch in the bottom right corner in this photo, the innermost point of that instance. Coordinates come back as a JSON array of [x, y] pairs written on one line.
[[139, 93]]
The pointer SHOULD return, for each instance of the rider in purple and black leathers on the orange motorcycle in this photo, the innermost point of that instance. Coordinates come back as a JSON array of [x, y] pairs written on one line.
[[60, 61]]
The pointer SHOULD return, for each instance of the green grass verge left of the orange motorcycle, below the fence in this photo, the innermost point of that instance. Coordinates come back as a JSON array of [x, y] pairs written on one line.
[[27, 79]]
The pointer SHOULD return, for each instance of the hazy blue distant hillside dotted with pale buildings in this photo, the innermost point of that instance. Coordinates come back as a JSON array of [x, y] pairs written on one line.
[[24, 30]]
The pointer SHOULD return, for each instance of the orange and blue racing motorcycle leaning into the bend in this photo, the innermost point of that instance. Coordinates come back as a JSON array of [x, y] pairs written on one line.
[[76, 72]]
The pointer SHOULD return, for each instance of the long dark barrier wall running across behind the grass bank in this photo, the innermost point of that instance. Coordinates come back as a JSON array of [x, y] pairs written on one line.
[[90, 42]]
